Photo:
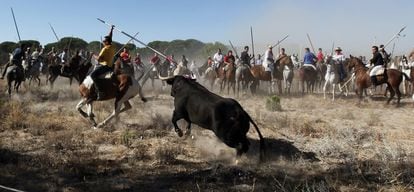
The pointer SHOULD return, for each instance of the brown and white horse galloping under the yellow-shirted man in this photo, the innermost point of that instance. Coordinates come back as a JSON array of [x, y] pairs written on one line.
[[120, 86]]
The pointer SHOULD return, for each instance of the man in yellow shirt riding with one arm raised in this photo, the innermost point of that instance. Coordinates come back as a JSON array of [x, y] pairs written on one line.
[[105, 59]]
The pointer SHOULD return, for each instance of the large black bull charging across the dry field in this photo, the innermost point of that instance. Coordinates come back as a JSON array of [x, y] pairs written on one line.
[[224, 116]]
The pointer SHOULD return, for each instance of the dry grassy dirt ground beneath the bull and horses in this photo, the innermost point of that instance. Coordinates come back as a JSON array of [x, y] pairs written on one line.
[[312, 145]]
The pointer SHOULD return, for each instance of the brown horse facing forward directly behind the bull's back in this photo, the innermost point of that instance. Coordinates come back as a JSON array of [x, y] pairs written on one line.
[[227, 76]]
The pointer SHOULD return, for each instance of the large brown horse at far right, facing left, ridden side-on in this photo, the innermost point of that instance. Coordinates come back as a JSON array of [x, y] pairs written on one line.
[[391, 77]]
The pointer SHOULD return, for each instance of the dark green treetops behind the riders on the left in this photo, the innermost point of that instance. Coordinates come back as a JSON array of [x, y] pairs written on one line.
[[192, 48]]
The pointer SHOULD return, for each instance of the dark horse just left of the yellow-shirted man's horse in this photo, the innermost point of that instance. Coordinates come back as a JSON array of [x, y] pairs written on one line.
[[77, 70]]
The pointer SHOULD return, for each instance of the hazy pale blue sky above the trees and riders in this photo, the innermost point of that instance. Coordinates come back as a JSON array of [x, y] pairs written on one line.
[[353, 25]]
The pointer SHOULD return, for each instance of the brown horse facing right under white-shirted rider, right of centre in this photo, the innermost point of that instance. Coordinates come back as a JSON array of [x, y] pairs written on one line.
[[259, 73]]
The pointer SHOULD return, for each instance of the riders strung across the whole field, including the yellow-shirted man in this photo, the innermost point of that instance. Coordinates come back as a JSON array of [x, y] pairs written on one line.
[[25, 59]]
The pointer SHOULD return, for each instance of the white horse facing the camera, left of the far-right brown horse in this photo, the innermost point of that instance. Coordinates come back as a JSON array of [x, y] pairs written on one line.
[[331, 77]]
